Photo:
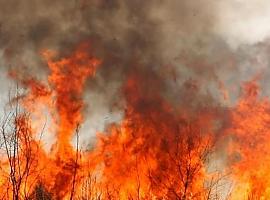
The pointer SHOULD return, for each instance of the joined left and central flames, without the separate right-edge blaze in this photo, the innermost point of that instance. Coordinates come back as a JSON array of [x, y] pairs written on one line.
[[154, 153]]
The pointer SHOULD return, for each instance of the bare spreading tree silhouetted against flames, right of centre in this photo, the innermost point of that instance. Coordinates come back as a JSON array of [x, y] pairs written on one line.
[[184, 165]]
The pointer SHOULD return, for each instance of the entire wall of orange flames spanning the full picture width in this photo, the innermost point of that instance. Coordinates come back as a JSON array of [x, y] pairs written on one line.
[[157, 151]]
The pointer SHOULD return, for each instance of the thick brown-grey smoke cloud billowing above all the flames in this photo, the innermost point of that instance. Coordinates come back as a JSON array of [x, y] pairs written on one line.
[[195, 53]]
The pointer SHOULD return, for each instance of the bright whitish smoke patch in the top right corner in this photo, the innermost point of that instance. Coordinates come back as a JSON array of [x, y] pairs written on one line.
[[243, 21]]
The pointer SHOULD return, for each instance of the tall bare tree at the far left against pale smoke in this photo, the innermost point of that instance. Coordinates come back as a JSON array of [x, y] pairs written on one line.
[[19, 150]]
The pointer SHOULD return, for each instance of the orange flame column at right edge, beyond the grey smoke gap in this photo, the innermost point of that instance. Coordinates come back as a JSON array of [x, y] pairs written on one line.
[[250, 147]]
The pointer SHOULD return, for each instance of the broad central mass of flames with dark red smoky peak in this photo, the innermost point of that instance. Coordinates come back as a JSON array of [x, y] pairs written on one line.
[[154, 153]]
